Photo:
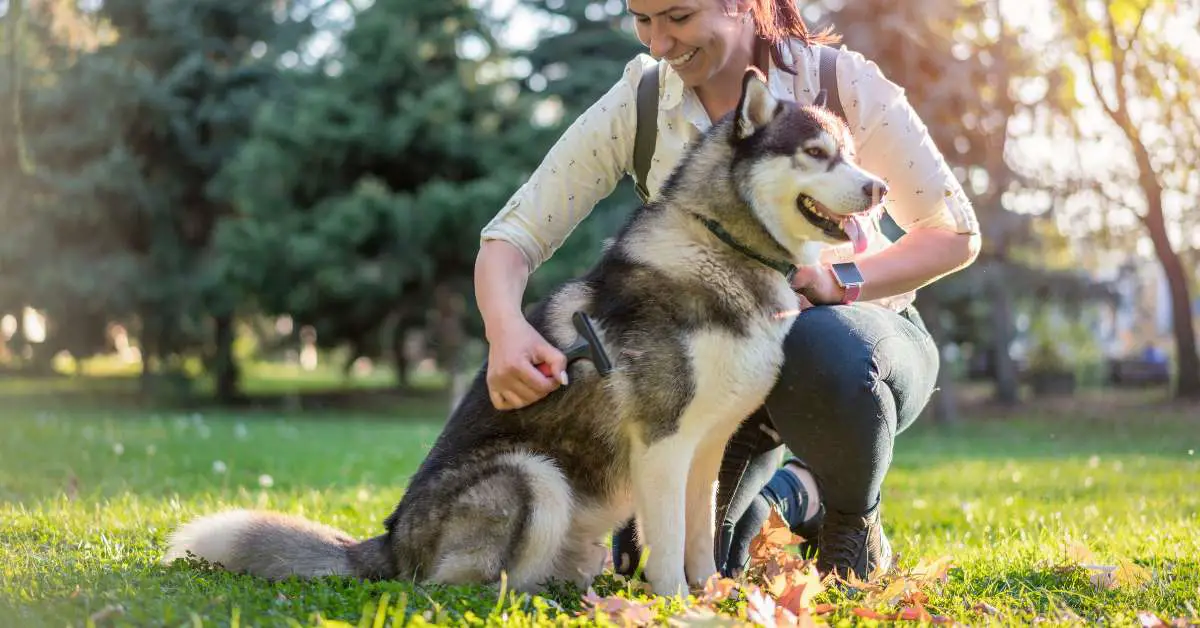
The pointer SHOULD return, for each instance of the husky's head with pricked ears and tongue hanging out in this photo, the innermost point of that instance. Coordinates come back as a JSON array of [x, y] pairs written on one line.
[[796, 170]]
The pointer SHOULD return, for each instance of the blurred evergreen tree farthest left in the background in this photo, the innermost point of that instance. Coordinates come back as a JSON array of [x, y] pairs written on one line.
[[125, 143]]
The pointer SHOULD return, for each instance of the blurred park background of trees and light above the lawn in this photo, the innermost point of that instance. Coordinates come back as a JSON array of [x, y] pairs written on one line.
[[277, 201]]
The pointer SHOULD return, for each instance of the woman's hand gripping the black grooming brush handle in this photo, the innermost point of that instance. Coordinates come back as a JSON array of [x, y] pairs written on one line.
[[514, 355]]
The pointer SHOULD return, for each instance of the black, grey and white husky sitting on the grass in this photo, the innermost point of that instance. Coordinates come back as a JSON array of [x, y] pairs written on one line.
[[692, 302]]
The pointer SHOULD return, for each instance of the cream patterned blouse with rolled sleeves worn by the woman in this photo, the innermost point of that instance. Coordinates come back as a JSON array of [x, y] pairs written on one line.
[[597, 151]]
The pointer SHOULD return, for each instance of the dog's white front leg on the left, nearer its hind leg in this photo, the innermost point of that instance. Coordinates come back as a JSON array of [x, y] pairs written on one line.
[[661, 487]]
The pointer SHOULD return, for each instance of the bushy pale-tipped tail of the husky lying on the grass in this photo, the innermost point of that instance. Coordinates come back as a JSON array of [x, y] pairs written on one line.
[[277, 547]]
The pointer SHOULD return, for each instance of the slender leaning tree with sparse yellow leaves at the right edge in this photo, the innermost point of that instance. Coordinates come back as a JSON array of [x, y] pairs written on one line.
[[1147, 85]]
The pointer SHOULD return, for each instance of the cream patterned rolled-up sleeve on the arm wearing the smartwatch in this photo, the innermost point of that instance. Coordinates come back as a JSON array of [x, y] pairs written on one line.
[[895, 143]]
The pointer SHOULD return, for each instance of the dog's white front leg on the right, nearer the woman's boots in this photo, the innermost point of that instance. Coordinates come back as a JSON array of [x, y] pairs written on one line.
[[701, 527]]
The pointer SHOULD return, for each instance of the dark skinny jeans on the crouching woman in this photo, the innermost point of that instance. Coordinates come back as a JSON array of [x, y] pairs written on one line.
[[854, 378]]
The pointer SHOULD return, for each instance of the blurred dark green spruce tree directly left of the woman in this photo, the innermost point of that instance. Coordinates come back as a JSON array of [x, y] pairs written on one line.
[[363, 190]]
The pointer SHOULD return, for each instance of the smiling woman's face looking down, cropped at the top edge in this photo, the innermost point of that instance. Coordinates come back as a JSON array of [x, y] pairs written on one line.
[[700, 39]]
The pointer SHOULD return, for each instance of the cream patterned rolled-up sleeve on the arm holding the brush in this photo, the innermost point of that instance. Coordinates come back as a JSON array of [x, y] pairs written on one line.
[[583, 168]]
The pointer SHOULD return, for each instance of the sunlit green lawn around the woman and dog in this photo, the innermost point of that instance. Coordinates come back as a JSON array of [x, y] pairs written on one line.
[[87, 500]]
